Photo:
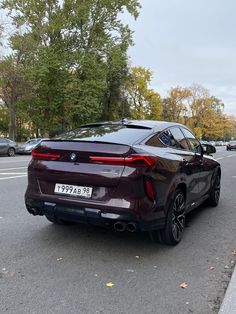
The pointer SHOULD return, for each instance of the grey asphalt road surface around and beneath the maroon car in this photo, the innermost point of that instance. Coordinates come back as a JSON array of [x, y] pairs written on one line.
[[64, 269]]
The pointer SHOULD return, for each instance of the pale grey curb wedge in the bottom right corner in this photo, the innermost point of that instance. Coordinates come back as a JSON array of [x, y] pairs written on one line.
[[228, 305]]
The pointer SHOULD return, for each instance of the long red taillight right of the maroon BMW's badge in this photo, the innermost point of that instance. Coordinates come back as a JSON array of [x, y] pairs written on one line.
[[132, 161]]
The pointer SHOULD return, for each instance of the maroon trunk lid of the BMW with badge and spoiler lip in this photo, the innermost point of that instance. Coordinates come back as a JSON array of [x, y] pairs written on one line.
[[72, 165]]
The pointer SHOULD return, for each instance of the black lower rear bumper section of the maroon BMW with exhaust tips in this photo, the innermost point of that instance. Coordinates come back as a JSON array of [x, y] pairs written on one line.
[[94, 216]]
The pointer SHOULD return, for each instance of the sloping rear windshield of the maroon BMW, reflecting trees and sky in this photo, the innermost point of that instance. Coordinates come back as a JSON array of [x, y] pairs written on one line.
[[121, 134]]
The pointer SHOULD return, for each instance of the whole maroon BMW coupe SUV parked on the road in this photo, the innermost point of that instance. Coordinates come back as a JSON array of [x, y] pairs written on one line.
[[129, 175]]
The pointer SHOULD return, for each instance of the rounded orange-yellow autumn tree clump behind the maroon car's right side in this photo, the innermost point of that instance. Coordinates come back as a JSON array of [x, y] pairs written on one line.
[[195, 107]]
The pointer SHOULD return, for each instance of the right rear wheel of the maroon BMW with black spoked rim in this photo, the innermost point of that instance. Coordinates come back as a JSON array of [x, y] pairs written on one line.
[[175, 223]]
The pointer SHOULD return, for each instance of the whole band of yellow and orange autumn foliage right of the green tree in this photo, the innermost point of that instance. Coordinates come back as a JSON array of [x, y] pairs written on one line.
[[192, 106]]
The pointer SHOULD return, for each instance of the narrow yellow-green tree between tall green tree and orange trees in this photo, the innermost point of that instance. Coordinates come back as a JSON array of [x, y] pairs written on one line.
[[144, 102]]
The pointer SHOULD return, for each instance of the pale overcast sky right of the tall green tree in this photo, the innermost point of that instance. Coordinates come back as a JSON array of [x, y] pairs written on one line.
[[188, 41]]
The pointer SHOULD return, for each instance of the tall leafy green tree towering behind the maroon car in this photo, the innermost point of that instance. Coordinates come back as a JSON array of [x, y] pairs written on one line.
[[75, 53]]
